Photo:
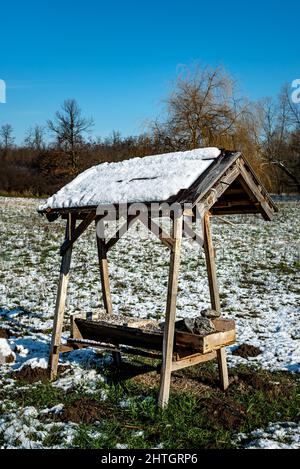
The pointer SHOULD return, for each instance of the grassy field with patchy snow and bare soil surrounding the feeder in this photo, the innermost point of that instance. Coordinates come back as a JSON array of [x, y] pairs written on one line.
[[94, 405]]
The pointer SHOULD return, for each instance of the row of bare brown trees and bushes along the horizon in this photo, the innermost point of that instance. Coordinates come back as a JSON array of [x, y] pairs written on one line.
[[203, 109]]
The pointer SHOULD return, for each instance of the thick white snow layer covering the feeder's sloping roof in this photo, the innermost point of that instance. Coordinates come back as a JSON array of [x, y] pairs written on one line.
[[151, 178]]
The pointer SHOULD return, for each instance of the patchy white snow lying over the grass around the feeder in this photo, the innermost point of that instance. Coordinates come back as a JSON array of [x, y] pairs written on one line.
[[258, 269]]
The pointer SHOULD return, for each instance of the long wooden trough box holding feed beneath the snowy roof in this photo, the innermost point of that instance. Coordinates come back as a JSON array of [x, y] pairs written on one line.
[[187, 347]]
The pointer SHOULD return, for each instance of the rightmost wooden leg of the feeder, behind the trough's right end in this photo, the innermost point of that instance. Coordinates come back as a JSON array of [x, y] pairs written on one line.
[[214, 294]]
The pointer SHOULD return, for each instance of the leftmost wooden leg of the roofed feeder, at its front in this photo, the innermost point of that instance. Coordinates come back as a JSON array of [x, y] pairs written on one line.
[[60, 302]]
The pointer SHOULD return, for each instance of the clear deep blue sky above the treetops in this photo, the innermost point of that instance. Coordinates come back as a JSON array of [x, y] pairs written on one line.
[[119, 58]]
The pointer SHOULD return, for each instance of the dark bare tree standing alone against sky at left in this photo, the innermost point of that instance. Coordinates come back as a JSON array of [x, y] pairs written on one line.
[[68, 128]]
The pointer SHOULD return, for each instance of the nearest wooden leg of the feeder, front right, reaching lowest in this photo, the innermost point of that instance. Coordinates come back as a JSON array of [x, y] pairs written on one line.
[[168, 340]]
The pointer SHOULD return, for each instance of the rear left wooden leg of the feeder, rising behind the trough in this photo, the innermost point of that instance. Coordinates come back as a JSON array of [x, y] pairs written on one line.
[[106, 295]]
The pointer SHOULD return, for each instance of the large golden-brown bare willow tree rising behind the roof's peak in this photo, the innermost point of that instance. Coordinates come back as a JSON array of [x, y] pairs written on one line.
[[202, 108]]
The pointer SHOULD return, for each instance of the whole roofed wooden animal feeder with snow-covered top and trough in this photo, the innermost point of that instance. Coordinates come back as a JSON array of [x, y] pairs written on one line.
[[223, 184]]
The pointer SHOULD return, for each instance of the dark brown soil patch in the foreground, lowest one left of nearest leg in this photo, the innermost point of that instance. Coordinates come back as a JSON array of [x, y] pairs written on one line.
[[84, 410]]
